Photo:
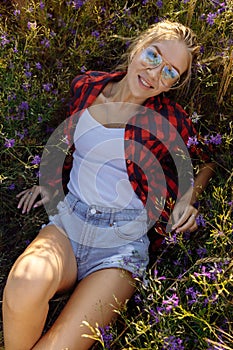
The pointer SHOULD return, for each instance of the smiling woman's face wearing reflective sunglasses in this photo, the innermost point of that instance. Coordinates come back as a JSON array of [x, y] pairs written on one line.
[[157, 68]]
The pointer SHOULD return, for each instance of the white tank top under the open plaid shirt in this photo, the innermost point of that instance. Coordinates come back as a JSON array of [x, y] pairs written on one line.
[[98, 175]]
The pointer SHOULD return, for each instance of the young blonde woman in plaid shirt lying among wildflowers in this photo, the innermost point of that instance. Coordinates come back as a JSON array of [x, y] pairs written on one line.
[[123, 181]]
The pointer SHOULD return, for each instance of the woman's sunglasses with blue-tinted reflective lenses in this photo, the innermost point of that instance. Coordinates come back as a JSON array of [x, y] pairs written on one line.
[[169, 75]]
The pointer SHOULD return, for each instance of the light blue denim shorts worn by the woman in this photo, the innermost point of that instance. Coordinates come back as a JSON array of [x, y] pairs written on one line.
[[104, 237]]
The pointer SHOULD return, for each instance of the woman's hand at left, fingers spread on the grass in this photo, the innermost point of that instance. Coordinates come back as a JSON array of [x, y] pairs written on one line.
[[28, 198]]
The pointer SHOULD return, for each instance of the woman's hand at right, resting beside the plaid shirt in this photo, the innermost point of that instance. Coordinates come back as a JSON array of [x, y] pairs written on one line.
[[184, 217]]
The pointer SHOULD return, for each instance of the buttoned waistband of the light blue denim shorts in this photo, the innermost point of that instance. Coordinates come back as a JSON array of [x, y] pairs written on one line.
[[110, 214]]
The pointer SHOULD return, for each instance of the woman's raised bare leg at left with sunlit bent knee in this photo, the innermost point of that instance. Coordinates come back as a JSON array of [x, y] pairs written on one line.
[[48, 265]]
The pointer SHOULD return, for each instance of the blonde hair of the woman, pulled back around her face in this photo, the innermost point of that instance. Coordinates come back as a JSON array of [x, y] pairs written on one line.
[[165, 30]]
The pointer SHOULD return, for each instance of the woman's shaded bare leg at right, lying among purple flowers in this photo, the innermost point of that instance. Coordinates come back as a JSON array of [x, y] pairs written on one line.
[[94, 301]]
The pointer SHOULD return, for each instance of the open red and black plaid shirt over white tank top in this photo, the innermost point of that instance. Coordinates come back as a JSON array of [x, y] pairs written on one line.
[[149, 136]]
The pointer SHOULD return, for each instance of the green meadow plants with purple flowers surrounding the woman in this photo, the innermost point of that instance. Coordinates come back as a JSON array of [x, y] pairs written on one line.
[[186, 303]]
